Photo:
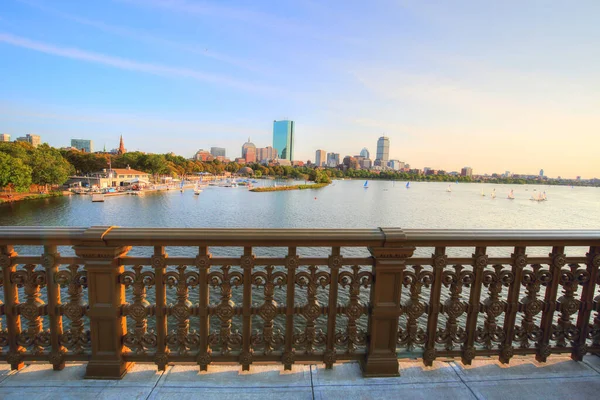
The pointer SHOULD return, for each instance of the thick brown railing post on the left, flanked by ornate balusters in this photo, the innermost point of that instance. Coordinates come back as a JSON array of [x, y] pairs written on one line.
[[106, 296]]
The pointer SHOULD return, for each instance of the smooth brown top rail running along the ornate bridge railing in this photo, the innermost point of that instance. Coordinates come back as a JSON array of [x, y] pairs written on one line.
[[378, 237]]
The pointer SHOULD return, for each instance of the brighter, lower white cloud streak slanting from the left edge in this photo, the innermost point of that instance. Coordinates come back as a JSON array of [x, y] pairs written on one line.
[[131, 65]]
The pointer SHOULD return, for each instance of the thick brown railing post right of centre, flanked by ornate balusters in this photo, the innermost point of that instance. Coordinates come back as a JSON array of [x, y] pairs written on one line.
[[386, 290]]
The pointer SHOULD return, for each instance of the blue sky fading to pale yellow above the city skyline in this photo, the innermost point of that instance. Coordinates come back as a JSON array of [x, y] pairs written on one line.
[[506, 85]]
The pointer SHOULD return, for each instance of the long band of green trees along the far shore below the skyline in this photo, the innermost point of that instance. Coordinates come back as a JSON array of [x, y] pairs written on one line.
[[41, 169]]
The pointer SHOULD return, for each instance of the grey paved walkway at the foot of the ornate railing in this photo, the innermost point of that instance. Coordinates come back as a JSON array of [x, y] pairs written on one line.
[[560, 378]]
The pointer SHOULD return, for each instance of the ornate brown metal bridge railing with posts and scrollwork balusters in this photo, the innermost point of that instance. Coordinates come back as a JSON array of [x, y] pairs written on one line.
[[295, 296]]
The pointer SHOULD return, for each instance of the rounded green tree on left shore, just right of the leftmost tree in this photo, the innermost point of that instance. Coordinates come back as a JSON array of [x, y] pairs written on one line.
[[49, 167]]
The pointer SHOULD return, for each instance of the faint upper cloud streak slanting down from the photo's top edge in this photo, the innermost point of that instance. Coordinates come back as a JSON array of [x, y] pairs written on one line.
[[143, 36]]
